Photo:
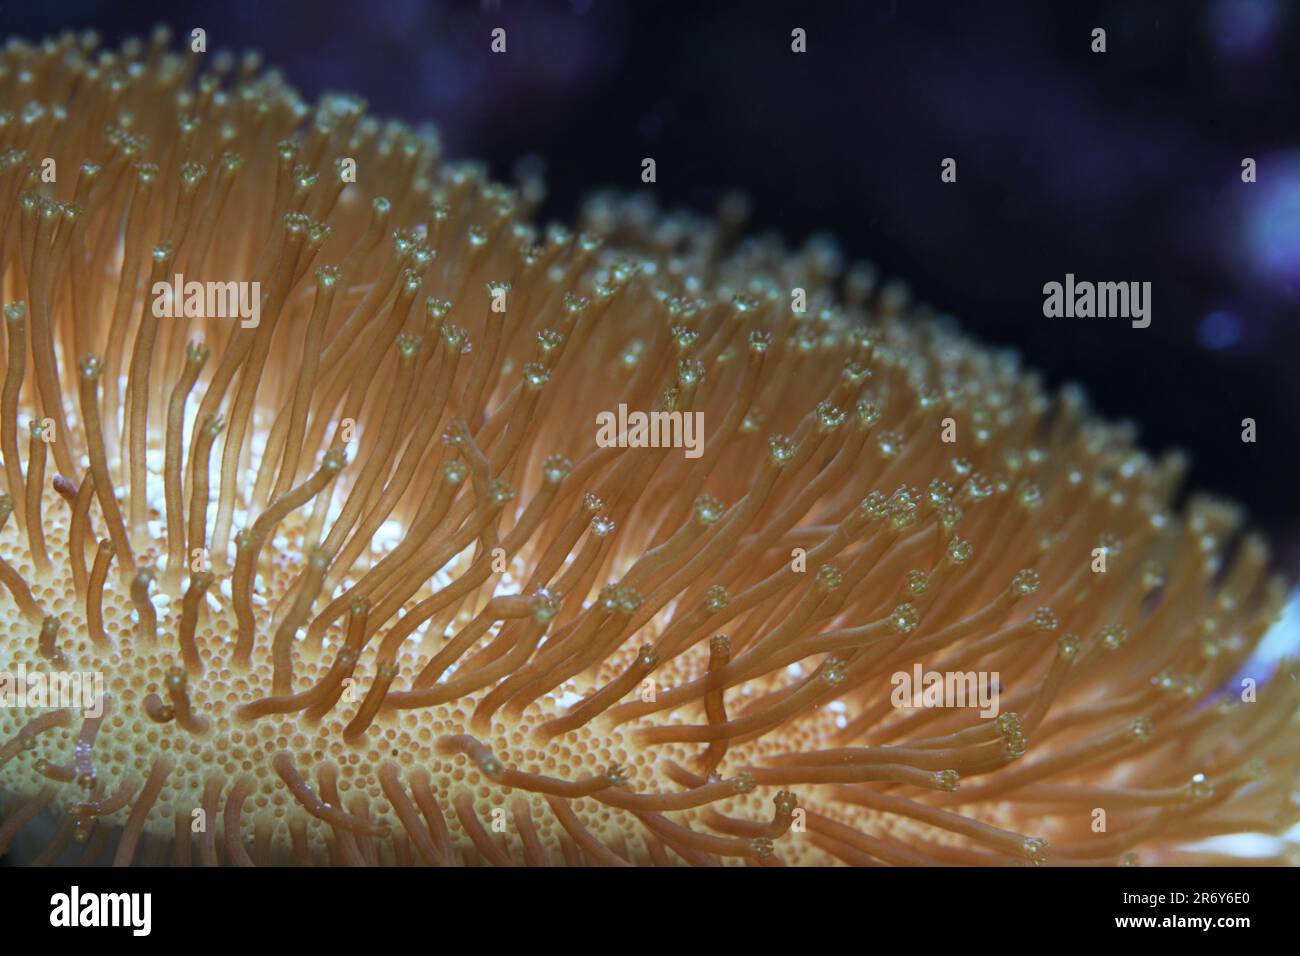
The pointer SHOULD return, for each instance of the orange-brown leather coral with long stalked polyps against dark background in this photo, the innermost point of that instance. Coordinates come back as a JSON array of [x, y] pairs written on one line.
[[300, 426]]
